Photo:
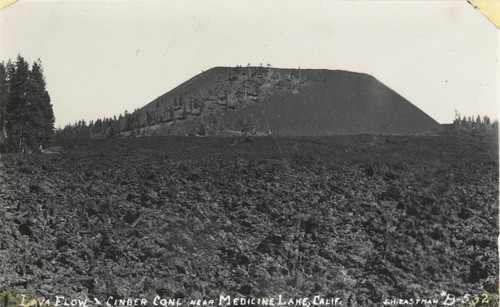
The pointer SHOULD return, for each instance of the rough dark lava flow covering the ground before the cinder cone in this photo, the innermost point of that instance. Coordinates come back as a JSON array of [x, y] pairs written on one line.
[[364, 219]]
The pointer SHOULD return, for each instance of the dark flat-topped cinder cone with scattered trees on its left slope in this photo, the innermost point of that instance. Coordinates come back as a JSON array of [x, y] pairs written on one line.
[[262, 100]]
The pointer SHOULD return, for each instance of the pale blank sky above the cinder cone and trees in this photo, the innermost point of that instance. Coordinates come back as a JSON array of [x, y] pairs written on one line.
[[103, 57]]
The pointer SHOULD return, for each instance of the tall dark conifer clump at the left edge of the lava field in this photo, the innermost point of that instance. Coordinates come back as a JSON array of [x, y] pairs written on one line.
[[26, 115]]
